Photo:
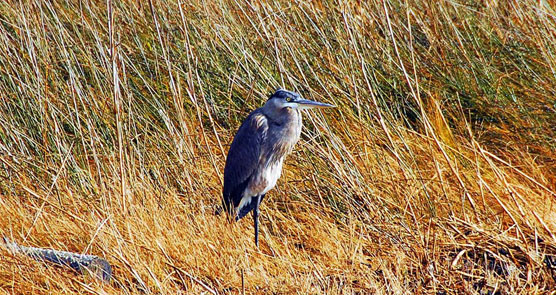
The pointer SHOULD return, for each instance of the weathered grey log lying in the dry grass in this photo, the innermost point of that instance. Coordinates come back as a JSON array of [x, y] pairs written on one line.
[[85, 264]]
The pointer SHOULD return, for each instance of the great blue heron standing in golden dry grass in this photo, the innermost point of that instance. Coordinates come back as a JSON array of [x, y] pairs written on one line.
[[255, 158]]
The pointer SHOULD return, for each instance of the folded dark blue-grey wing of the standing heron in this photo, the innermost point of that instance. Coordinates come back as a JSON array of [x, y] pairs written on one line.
[[243, 158]]
